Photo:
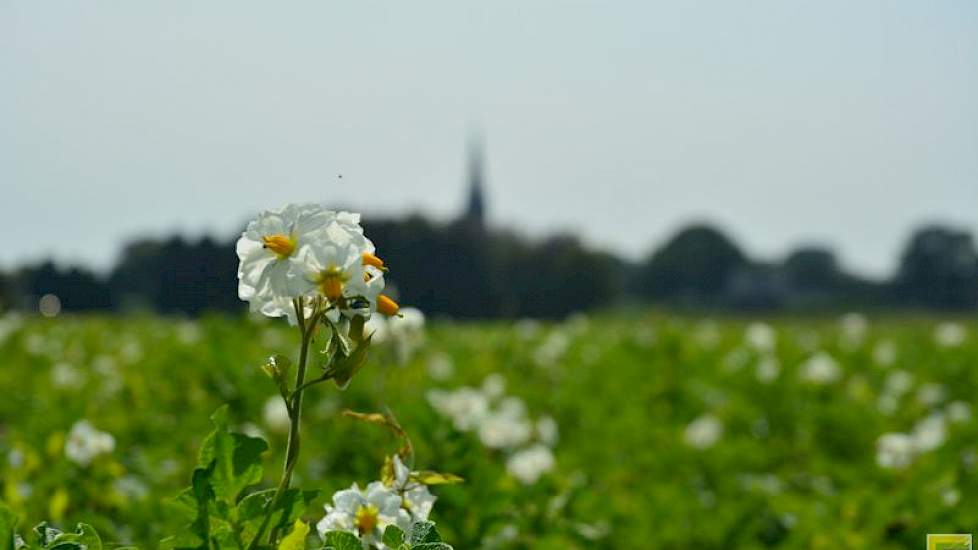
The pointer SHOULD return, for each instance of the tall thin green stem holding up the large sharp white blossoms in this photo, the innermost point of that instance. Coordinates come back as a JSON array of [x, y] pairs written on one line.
[[295, 416]]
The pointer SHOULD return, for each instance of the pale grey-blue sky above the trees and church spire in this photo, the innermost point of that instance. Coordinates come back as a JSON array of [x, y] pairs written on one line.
[[845, 123]]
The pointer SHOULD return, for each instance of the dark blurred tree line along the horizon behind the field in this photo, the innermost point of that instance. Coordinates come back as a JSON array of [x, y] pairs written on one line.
[[463, 270]]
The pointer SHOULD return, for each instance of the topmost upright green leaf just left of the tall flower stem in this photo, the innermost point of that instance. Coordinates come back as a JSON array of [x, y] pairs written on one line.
[[236, 458]]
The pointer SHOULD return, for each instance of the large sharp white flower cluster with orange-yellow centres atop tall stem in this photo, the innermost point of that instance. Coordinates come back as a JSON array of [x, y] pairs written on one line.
[[307, 254]]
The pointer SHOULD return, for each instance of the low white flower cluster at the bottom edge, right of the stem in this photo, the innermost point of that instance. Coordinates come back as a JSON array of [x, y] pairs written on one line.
[[400, 501]]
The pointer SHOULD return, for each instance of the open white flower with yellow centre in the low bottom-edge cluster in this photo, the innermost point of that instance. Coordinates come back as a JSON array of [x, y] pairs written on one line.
[[365, 513]]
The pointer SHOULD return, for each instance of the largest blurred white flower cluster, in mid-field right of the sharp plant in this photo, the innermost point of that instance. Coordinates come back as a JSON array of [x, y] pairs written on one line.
[[501, 423]]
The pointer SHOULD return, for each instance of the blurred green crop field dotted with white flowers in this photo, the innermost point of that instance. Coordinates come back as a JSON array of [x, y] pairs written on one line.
[[610, 431]]
